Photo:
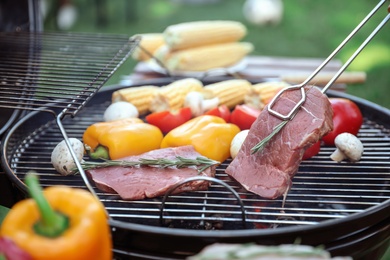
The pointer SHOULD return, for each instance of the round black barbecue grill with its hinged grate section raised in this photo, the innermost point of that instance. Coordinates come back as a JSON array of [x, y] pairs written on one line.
[[55, 82]]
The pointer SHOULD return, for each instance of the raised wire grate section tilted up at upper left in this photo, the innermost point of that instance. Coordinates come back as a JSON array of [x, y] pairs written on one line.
[[63, 69]]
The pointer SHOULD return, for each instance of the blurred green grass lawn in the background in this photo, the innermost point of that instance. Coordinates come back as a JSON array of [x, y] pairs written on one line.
[[309, 29]]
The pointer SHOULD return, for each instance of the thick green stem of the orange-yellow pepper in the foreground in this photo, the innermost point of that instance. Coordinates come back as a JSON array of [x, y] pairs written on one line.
[[51, 224]]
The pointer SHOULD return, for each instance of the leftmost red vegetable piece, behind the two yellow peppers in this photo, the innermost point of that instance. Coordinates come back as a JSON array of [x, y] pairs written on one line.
[[168, 120]]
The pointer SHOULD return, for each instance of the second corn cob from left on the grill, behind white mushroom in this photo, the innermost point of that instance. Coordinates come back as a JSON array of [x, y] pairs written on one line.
[[172, 96]]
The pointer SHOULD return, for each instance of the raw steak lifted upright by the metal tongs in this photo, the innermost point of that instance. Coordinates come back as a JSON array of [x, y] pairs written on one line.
[[268, 172]]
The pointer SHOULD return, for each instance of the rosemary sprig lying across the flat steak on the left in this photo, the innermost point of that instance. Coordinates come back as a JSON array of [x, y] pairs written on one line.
[[200, 162]]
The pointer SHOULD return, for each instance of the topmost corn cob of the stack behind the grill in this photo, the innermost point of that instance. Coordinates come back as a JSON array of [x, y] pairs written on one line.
[[199, 33]]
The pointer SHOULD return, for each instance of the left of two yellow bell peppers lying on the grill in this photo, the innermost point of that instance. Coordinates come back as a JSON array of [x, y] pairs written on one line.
[[123, 137]]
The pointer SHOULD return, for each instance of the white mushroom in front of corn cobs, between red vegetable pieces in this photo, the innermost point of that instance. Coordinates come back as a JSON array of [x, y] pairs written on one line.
[[198, 105]]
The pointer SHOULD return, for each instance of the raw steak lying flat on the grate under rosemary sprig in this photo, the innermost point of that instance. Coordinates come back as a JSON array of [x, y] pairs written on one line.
[[135, 183]]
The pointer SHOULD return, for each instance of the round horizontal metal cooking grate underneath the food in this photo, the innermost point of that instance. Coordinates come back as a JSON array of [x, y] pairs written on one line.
[[322, 189]]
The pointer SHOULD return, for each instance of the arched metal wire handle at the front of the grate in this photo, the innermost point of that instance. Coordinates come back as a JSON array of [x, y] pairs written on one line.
[[204, 178]]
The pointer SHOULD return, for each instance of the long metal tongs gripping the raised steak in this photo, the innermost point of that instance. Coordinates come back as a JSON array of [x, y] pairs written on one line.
[[295, 109]]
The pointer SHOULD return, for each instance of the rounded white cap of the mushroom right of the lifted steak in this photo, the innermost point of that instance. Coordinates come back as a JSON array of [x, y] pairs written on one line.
[[350, 146]]
